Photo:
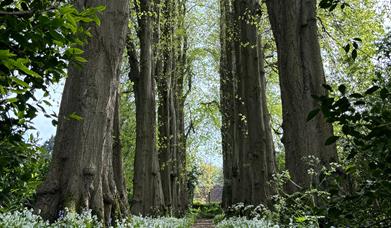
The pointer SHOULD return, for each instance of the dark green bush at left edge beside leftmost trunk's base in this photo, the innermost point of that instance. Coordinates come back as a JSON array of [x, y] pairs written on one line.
[[22, 168]]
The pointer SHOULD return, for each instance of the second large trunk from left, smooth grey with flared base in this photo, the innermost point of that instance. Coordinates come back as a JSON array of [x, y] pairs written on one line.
[[147, 190]]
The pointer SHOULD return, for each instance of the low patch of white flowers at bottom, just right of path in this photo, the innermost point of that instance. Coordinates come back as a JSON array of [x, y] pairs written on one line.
[[245, 223]]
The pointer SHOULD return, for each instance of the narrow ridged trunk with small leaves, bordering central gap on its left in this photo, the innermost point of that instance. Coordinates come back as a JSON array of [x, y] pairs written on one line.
[[172, 147]]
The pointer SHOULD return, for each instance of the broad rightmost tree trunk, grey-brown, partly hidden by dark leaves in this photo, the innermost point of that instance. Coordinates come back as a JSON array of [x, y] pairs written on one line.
[[301, 75]]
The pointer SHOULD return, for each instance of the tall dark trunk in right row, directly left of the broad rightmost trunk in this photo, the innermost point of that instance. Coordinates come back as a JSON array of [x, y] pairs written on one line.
[[250, 75]]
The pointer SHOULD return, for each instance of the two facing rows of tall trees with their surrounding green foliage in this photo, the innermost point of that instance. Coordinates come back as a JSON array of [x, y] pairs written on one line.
[[303, 107]]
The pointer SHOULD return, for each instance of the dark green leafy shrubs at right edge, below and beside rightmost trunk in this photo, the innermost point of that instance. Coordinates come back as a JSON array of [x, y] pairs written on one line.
[[364, 197]]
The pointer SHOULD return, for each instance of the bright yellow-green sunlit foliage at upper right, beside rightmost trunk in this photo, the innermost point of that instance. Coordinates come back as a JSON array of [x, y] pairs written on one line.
[[349, 42]]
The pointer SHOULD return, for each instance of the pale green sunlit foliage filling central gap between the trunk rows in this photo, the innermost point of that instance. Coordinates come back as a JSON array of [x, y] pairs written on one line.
[[202, 113]]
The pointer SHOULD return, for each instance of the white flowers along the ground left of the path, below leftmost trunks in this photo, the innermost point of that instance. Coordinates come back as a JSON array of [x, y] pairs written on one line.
[[27, 218]]
